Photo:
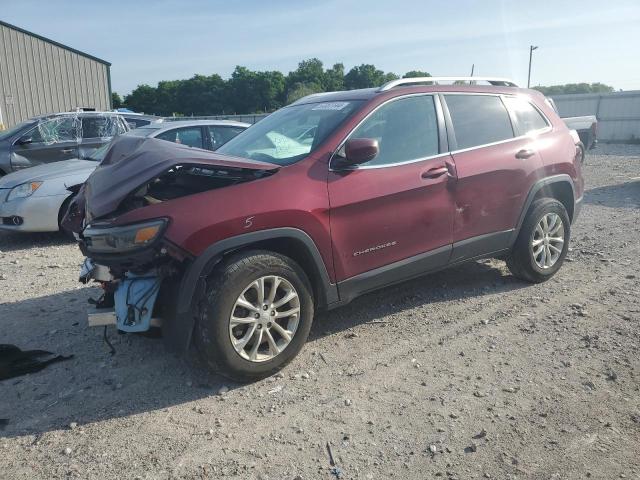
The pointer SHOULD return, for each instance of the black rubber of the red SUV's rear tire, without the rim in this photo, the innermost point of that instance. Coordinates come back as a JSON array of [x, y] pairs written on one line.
[[521, 262]]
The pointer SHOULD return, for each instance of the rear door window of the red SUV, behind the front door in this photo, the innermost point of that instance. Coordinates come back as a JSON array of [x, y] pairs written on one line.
[[478, 119]]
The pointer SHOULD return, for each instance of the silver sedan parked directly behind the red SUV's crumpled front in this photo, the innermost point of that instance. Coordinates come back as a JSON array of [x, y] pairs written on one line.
[[35, 199]]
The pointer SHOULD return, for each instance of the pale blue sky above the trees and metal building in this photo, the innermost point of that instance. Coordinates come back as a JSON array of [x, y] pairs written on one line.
[[149, 41]]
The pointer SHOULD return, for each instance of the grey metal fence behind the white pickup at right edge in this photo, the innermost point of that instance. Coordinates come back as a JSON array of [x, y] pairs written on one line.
[[618, 113]]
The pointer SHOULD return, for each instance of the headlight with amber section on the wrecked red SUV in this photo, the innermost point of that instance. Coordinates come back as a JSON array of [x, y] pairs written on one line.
[[123, 239]]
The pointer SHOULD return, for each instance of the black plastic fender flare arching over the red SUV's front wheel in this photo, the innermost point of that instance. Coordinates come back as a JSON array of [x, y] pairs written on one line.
[[179, 327]]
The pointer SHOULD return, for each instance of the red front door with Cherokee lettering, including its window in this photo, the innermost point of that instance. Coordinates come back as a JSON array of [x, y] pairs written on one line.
[[388, 212]]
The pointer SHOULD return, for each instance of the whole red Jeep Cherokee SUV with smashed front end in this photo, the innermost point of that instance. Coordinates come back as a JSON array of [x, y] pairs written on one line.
[[331, 197]]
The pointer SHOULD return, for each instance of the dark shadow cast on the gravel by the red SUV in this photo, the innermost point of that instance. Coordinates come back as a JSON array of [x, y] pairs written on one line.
[[143, 377]]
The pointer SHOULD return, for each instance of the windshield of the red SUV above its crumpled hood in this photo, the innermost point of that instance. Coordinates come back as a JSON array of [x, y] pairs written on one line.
[[291, 133]]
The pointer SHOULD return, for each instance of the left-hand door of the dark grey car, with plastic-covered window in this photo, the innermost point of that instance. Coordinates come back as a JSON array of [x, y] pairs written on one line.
[[51, 140]]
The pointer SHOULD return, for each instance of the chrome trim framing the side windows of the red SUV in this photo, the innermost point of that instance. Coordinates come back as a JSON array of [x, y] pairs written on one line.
[[541, 131]]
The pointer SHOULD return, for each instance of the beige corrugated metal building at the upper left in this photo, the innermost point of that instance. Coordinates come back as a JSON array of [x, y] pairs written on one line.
[[39, 76]]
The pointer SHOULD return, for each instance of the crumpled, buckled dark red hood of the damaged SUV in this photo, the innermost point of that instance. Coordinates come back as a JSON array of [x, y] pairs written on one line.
[[133, 161]]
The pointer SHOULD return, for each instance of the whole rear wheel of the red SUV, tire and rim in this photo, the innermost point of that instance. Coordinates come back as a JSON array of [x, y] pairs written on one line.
[[542, 243]]
